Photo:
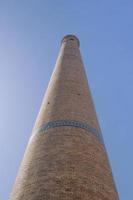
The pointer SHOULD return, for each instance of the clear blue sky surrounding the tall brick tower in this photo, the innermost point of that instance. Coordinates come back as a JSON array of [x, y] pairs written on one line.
[[30, 34]]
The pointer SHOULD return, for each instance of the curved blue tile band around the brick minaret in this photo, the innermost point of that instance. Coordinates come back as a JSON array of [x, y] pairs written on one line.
[[68, 122]]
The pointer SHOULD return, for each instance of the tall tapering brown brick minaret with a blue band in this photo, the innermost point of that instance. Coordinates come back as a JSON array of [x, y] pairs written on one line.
[[66, 158]]
